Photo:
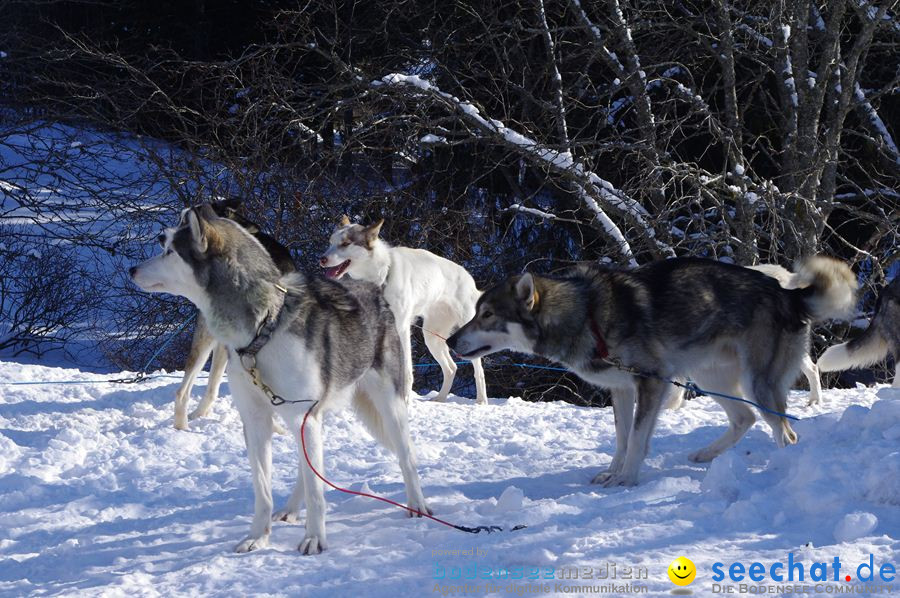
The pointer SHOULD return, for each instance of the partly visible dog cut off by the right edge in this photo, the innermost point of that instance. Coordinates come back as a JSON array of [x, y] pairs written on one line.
[[880, 338]]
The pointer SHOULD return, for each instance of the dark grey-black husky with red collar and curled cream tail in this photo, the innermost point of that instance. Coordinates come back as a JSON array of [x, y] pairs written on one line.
[[731, 329]]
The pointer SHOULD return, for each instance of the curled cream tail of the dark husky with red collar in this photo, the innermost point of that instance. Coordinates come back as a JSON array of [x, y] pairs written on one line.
[[827, 286]]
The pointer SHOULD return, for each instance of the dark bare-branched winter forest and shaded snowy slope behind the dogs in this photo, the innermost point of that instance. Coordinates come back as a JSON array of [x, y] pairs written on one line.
[[502, 135]]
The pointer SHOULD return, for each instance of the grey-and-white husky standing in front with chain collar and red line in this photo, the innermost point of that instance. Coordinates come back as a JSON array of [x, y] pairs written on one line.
[[311, 339]]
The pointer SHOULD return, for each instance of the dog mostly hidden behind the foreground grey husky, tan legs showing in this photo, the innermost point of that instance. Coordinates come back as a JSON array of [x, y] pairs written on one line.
[[203, 343]]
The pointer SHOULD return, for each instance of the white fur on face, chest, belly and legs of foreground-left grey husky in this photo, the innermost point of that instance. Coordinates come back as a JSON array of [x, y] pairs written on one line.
[[292, 372]]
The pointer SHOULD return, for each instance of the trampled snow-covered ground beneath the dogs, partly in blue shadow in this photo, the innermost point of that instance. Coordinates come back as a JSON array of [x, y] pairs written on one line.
[[102, 497]]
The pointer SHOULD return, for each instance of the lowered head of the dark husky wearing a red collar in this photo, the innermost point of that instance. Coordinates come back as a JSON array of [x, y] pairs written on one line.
[[505, 318]]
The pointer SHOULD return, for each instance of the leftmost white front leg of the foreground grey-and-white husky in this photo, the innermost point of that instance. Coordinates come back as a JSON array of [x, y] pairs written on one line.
[[258, 434]]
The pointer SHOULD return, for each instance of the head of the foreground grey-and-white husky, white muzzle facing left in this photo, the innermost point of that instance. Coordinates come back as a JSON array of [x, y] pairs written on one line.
[[192, 248]]
